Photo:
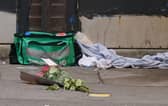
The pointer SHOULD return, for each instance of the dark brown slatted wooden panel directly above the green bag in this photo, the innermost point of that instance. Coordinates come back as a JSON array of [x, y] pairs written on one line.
[[51, 15]]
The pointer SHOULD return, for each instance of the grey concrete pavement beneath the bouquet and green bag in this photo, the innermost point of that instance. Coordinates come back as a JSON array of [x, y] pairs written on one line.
[[129, 87]]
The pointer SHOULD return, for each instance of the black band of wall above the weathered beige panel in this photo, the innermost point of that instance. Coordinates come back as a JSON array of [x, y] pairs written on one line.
[[113, 7]]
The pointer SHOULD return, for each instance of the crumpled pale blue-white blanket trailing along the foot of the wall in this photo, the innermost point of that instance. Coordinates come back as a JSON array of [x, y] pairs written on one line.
[[98, 55]]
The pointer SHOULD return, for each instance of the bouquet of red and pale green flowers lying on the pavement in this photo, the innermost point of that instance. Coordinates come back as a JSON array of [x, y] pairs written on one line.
[[63, 78]]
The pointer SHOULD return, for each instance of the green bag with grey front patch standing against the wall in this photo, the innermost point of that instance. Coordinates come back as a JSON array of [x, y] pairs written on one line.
[[32, 46]]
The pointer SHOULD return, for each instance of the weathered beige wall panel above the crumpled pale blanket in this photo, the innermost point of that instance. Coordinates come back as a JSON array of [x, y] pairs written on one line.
[[128, 31]]
